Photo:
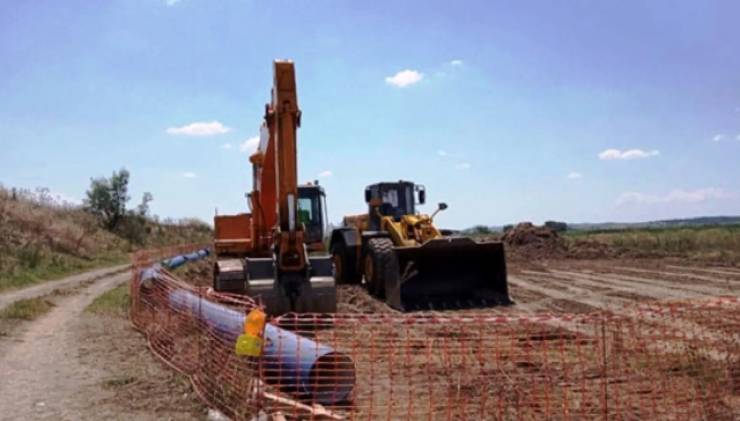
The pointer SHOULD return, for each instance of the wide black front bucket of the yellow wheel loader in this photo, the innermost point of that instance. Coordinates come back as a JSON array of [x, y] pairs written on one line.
[[449, 273]]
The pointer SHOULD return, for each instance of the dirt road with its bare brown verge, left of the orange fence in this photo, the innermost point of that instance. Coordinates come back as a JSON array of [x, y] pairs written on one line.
[[73, 365]]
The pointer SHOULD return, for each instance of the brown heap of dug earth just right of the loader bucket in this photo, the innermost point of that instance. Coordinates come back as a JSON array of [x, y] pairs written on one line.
[[527, 241]]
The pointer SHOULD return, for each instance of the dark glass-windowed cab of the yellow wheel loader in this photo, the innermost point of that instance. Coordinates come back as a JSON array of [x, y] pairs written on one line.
[[392, 199]]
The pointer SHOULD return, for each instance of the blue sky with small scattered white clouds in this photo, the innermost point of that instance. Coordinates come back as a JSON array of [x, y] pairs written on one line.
[[507, 111]]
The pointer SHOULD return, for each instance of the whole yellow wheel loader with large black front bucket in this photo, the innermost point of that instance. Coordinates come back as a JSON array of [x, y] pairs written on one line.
[[403, 258]]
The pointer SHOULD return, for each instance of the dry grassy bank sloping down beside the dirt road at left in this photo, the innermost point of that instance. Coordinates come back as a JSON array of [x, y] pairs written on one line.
[[43, 237]]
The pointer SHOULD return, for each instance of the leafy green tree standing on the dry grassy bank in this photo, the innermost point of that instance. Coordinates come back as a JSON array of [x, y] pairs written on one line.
[[107, 198]]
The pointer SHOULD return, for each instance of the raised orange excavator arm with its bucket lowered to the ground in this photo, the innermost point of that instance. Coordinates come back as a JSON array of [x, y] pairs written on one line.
[[287, 279]]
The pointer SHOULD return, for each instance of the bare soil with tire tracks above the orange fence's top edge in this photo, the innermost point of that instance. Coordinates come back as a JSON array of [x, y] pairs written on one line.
[[564, 285]]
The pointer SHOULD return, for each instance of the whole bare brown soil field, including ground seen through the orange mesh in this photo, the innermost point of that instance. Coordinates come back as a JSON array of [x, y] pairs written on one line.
[[423, 369]]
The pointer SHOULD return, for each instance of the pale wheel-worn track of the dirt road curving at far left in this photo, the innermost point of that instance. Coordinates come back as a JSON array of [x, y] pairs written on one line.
[[42, 375]]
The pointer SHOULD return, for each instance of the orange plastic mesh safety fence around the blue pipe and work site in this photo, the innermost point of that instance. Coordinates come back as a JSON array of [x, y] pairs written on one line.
[[677, 360]]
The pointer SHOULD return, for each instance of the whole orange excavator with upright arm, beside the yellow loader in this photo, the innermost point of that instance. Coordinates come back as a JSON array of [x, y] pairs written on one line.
[[265, 253]]
